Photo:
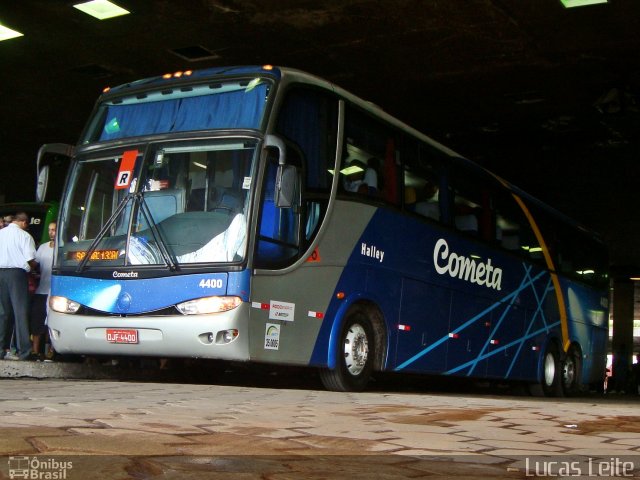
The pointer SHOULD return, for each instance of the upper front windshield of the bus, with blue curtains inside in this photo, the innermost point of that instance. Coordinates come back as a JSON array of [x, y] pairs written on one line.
[[214, 105]]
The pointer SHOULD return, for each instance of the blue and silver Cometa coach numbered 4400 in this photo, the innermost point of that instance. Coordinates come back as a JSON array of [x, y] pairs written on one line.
[[262, 214]]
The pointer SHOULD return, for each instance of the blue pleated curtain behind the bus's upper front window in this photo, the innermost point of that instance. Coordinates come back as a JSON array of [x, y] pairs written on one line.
[[239, 109]]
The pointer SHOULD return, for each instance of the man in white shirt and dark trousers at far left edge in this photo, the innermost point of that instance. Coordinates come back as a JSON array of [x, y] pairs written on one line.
[[17, 254]]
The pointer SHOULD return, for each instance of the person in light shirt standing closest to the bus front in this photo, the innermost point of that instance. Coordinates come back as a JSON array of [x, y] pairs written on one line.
[[44, 257]]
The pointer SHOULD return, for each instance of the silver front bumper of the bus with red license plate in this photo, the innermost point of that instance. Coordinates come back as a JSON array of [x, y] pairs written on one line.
[[218, 336]]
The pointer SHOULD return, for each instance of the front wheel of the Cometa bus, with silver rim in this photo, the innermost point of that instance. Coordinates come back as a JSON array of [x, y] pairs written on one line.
[[355, 355]]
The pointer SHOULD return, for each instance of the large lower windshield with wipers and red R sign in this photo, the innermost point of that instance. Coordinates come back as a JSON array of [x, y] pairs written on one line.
[[187, 203]]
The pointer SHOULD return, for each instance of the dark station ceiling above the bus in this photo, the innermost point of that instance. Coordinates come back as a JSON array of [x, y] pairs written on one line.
[[546, 97]]
